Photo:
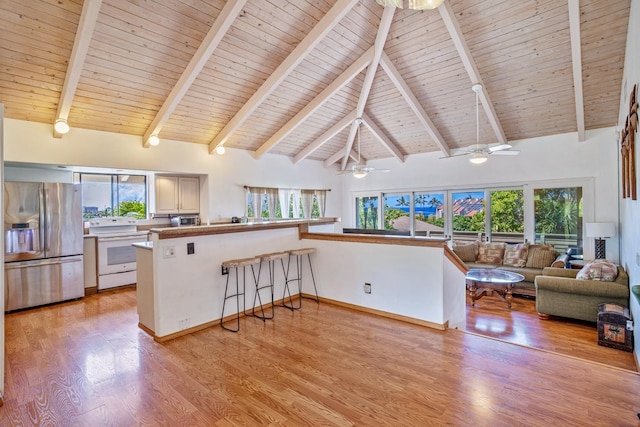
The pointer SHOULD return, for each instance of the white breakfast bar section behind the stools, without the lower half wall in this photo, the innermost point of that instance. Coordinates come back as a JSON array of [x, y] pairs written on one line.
[[179, 280]]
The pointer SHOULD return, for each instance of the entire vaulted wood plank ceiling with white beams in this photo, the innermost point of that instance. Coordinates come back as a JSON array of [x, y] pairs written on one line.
[[290, 77]]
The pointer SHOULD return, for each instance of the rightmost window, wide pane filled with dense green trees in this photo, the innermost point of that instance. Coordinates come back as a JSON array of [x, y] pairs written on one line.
[[558, 216]]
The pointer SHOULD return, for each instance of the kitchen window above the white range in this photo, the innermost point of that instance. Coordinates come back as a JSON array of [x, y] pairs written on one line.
[[113, 195]]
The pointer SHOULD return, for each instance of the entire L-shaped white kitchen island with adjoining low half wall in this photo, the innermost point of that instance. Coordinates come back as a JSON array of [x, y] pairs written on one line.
[[181, 285]]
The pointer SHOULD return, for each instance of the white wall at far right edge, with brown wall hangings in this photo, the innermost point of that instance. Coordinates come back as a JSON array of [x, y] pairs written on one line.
[[630, 209]]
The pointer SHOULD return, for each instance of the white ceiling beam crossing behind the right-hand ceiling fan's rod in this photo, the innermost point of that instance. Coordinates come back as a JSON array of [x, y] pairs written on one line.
[[450, 21]]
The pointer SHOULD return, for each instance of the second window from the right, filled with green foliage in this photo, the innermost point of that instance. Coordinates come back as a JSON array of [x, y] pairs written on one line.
[[507, 216]]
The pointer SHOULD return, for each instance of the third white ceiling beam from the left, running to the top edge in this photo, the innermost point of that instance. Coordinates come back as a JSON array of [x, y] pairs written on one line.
[[324, 27]]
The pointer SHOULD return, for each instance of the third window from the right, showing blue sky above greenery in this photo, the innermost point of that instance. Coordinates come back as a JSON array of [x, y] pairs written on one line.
[[467, 209]]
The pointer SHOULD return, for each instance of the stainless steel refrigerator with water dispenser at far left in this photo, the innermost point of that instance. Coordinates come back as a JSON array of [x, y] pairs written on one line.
[[43, 234]]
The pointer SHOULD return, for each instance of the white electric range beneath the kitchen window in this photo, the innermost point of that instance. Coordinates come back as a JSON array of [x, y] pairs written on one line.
[[116, 255]]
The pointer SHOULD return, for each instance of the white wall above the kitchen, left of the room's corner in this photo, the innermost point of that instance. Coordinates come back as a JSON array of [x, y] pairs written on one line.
[[224, 176]]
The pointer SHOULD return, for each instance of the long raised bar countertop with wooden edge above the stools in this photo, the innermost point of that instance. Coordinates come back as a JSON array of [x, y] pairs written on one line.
[[203, 230]]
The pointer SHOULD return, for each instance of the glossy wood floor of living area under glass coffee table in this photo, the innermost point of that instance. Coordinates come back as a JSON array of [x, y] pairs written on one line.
[[490, 317]]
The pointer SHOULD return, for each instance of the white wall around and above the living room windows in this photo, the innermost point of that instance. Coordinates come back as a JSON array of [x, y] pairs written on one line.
[[546, 159]]
